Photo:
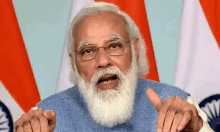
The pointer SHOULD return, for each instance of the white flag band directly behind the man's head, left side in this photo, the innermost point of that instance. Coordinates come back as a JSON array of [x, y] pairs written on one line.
[[64, 82]]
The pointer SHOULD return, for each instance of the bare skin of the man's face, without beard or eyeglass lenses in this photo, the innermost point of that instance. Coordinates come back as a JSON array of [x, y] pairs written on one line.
[[99, 31]]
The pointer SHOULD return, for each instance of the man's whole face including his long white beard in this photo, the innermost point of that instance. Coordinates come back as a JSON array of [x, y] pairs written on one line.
[[109, 102]]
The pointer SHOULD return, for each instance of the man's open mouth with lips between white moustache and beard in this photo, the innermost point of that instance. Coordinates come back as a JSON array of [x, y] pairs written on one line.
[[108, 82]]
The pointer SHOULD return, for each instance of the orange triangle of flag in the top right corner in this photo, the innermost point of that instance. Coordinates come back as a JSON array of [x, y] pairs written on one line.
[[211, 9]]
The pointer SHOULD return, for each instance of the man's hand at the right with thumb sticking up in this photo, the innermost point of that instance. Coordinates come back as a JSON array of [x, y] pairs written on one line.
[[175, 114]]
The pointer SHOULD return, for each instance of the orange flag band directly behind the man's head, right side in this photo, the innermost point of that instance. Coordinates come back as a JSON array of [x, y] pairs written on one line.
[[136, 9]]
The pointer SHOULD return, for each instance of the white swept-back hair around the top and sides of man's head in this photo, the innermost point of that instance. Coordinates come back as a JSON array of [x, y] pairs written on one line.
[[132, 29]]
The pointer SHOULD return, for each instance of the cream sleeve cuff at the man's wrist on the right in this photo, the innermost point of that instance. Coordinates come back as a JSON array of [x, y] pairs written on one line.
[[205, 127]]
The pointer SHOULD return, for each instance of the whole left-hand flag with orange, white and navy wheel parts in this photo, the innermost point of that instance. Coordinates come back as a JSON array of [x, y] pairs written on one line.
[[18, 90]]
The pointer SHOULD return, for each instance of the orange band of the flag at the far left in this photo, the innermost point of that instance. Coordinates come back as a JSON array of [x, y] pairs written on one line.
[[15, 69]]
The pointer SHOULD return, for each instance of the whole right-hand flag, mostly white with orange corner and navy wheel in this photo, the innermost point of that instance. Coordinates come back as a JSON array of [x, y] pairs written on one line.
[[198, 60]]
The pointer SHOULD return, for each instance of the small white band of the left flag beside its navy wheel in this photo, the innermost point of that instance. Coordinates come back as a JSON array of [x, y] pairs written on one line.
[[14, 109]]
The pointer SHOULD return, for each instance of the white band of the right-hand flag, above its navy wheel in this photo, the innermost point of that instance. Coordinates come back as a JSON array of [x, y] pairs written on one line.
[[198, 62]]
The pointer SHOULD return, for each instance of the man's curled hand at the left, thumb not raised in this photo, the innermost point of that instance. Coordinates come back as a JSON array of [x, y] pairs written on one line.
[[36, 121]]
